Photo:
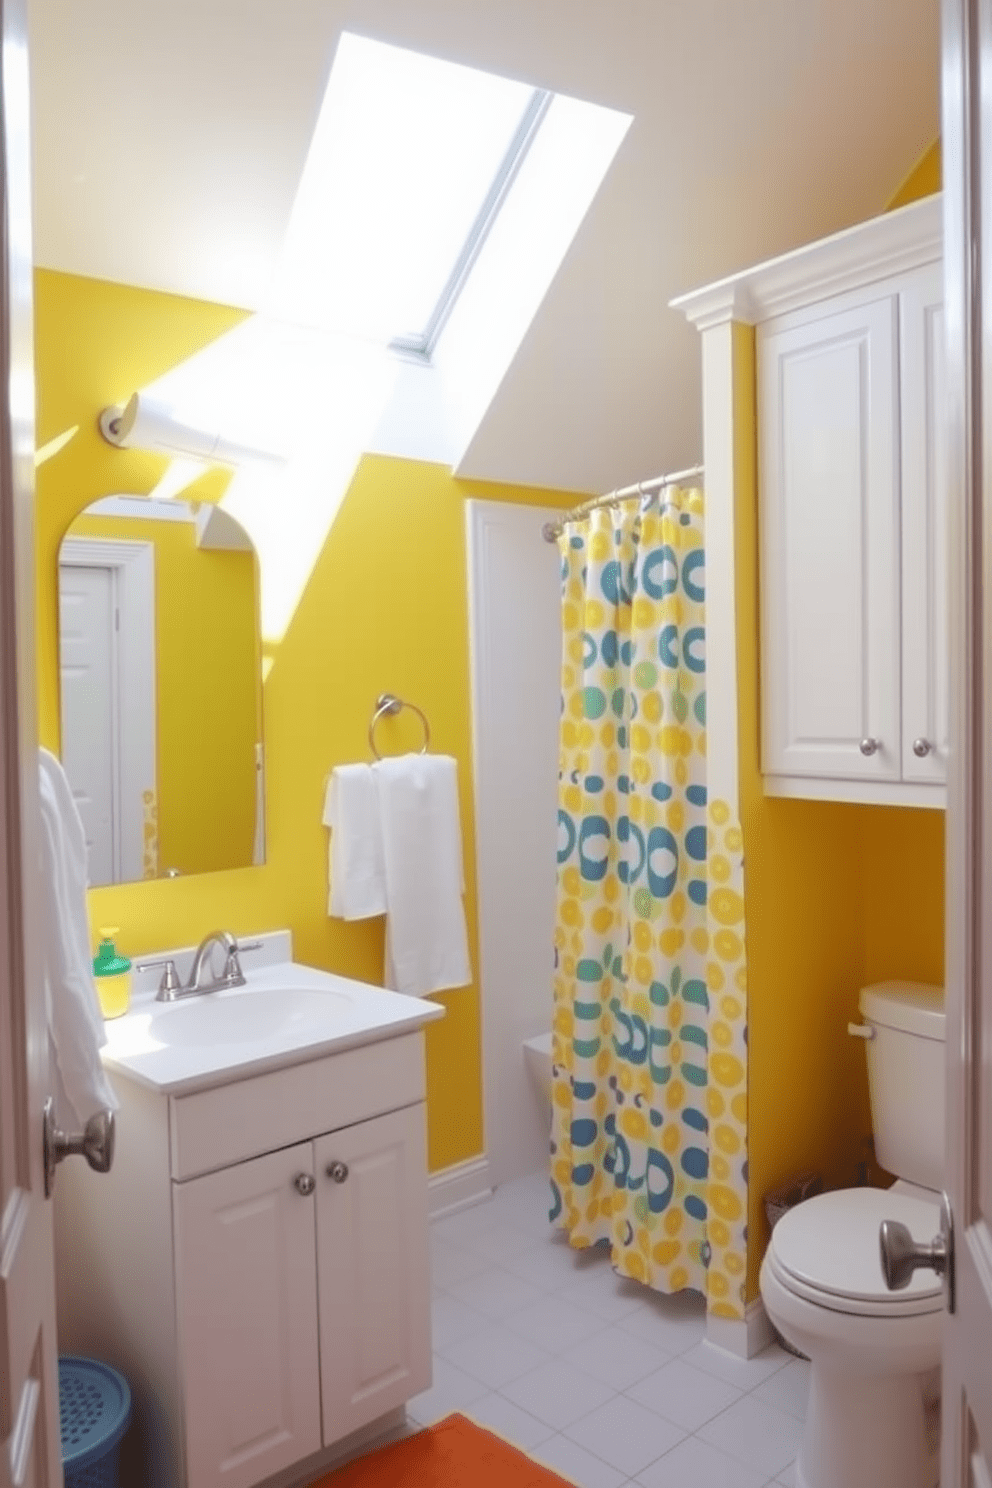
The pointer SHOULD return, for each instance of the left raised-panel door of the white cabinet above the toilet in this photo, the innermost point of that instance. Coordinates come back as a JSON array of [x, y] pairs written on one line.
[[829, 520]]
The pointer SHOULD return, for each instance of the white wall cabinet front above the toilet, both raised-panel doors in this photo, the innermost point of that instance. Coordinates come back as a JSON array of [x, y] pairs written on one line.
[[853, 548]]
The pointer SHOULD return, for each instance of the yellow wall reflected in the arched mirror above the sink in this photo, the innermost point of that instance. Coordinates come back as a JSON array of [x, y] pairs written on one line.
[[207, 694]]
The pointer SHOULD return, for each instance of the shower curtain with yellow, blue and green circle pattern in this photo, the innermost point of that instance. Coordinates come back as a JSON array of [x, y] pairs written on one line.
[[649, 1133]]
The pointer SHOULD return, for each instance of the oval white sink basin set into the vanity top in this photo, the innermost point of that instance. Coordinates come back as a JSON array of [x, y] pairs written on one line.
[[245, 1017]]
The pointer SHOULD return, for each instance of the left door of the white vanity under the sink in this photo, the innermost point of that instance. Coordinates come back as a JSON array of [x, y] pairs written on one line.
[[246, 1263]]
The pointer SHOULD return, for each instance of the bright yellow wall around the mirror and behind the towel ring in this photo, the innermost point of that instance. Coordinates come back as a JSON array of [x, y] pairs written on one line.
[[386, 609]]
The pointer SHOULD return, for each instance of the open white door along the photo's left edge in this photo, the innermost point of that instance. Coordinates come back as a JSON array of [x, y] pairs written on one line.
[[30, 1452]]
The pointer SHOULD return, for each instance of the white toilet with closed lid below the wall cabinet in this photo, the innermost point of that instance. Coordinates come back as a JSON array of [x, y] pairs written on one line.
[[874, 1414]]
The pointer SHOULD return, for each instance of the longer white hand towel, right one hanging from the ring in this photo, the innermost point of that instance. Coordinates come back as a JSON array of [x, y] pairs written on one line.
[[426, 940]]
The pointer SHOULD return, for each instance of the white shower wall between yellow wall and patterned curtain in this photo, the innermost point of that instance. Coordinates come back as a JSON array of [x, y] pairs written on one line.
[[515, 629]]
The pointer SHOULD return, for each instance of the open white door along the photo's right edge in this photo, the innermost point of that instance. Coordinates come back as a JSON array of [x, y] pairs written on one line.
[[967, 163]]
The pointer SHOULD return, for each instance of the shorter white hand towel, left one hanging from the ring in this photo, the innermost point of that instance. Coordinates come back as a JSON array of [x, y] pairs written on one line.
[[352, 812]]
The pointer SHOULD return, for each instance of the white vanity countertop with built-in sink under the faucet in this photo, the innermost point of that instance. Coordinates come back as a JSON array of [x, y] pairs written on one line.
[[285, 1014]]
